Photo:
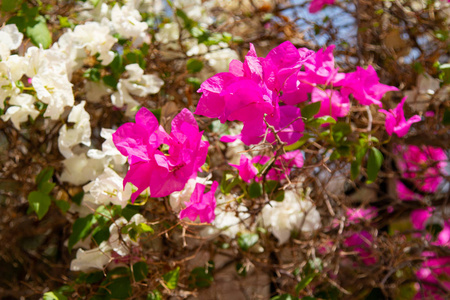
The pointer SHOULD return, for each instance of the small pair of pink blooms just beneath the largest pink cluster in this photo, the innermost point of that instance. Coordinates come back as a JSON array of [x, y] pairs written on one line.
[[281, 167]]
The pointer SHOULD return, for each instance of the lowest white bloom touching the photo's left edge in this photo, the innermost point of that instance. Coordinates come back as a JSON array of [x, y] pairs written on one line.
[[22, 109]]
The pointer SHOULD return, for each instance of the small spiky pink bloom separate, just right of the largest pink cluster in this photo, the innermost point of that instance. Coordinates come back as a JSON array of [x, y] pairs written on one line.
[[396, 122]]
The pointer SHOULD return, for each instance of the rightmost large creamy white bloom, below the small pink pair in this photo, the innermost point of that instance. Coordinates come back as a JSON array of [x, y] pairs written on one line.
[[293, 213]]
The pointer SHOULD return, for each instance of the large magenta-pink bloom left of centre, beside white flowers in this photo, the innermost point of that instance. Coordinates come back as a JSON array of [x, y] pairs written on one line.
[[150, 167]]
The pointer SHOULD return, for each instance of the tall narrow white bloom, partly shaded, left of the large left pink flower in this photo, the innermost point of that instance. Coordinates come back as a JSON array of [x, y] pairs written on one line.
[[80, 133]]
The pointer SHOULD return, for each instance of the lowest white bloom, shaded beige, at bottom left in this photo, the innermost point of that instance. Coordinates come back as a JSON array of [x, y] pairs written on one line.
[[94, 259]]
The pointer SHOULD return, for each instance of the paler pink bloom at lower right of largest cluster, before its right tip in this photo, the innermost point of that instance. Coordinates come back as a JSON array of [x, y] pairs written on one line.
[[332, 103]]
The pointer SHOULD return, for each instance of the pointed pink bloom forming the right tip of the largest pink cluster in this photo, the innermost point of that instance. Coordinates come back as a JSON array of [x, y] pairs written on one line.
[[365, 86]]
